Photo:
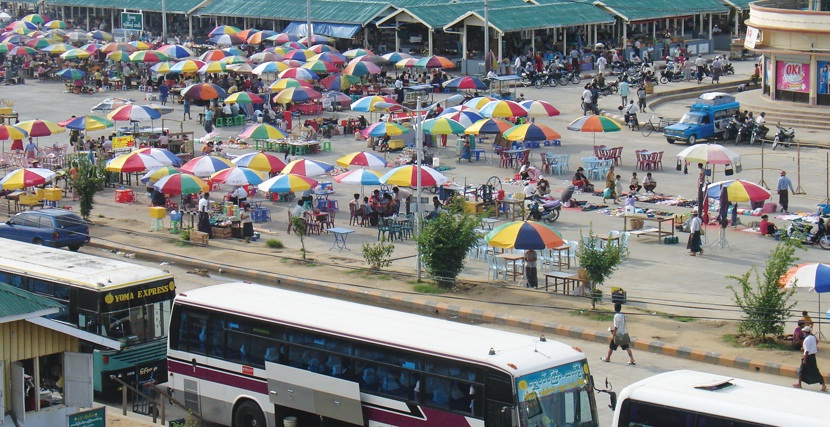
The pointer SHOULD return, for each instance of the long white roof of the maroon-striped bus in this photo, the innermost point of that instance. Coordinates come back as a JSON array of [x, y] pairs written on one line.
[[514, 353]]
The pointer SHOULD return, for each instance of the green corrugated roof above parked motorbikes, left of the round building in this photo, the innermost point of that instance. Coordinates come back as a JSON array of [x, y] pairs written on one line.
[[636, 10]]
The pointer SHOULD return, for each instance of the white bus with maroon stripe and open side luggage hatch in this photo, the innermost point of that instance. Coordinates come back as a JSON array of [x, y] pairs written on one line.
[[242, 354]]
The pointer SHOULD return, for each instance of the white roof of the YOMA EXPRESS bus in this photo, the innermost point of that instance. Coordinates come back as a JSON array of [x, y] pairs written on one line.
[[82, 270]]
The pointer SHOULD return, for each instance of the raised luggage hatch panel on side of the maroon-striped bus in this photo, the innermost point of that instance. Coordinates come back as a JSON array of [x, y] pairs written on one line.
[[314, 393]]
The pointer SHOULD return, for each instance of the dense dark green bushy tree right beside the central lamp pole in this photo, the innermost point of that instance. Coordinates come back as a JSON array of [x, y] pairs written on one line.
[[445, 240]]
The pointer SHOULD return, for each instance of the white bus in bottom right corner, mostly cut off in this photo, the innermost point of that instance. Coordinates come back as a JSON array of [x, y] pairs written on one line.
[[699, 399]]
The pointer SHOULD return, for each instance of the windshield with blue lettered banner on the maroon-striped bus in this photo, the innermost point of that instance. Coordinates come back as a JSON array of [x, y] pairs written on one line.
[[559, 396]]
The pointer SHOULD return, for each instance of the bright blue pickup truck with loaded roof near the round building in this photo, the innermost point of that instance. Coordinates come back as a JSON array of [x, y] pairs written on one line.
[[707, 119]]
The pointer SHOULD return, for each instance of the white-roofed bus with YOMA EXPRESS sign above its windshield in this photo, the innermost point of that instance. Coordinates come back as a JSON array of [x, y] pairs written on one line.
[[118, 310]]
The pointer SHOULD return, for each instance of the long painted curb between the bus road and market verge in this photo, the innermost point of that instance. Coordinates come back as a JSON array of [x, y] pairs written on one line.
[[425, 305]]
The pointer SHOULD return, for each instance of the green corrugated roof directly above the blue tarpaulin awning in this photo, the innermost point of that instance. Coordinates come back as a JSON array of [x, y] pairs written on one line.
[[352, 12]]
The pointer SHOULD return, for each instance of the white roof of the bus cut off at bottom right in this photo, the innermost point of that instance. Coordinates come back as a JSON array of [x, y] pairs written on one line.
[[730, 397]]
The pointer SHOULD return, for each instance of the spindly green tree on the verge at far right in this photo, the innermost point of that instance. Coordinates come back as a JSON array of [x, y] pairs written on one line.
[[766, 305]]
